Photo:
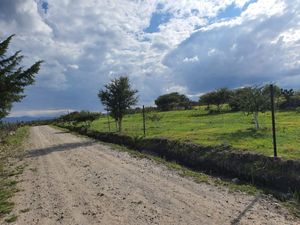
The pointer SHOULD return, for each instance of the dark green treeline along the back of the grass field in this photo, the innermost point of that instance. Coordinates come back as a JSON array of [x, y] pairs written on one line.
[[234, 98]]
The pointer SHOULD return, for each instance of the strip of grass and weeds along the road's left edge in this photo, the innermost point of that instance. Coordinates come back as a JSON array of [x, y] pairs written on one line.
[[11, 152]]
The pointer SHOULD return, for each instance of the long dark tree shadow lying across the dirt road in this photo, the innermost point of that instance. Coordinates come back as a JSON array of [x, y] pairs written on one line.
[[59, 148]]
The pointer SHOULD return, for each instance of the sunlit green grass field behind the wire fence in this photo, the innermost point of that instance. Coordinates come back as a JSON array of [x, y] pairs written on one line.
[[232, 128]]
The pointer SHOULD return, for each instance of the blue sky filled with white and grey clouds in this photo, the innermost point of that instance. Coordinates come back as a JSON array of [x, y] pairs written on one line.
[[189, 46]]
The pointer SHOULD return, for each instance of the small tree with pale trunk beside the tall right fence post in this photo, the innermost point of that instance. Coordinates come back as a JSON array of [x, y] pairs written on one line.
[[254, 100]]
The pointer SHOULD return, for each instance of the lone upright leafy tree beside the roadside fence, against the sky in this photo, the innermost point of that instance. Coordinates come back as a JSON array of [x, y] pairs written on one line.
[[117, 98]]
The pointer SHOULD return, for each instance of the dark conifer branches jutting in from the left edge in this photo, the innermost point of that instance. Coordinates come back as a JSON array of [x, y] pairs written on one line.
[[13, 77]]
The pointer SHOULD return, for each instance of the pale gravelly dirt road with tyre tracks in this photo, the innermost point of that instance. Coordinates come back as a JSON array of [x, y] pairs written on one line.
[[72, 180]]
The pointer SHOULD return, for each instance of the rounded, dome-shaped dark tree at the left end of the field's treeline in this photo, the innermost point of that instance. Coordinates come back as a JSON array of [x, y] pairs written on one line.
[[171, 101]]
